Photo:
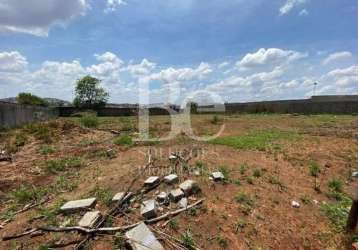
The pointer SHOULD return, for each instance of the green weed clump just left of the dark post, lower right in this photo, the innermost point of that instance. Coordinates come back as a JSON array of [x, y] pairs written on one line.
[[337, 211]]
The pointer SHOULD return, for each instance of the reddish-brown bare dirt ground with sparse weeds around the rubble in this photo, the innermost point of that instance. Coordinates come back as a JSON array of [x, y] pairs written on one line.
[[269, 161]]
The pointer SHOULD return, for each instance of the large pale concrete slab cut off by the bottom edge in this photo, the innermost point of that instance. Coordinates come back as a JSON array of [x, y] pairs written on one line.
[[141, 238]]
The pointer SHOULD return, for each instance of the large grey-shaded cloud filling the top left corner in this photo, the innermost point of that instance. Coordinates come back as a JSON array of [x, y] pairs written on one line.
[[36, 17]]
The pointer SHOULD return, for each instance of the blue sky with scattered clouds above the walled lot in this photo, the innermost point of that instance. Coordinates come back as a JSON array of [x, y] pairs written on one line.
[[241, 50]]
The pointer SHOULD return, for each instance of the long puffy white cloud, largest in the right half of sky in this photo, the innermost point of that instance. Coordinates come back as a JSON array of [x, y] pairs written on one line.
[[271, 56]]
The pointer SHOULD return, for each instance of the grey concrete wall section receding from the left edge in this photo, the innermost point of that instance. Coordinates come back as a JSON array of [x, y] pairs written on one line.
[[15, 115]]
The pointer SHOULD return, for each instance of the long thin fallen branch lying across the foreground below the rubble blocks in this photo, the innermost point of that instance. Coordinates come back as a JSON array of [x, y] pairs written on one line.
[[103, 229]]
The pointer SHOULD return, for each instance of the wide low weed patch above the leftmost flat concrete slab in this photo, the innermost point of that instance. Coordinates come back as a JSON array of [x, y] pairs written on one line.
[[63, 164]]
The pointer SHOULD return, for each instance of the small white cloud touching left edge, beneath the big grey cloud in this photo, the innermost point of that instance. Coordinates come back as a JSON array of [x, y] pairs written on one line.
[[12, 62]]
